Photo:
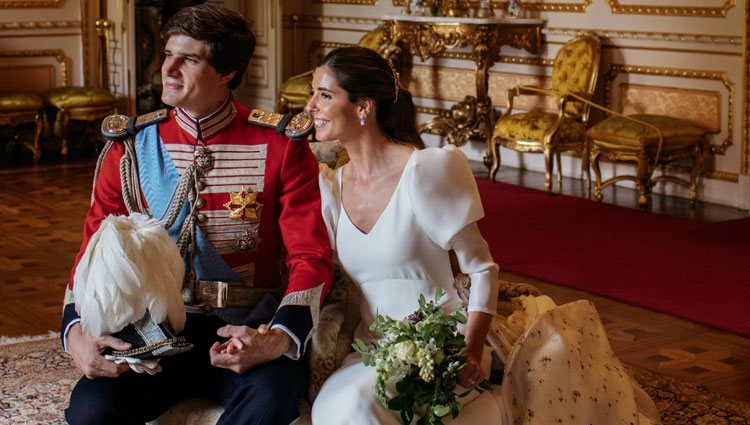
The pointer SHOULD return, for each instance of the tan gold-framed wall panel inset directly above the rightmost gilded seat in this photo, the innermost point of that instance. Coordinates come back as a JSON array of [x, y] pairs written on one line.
[[701, 107]]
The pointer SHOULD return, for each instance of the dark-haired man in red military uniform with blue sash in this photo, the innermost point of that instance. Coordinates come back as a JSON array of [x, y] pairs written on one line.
[[234, 197]]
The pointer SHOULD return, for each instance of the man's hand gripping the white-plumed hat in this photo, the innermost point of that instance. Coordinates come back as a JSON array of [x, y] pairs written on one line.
[[87, 353]]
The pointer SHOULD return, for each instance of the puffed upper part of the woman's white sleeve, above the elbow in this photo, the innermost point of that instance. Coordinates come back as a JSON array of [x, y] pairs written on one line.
[[443, 193]]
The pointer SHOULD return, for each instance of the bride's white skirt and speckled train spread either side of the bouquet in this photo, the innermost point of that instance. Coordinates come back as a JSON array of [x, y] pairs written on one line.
[[560, 368]]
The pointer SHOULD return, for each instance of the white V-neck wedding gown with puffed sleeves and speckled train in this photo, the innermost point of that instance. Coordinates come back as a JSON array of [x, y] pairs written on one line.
[[560, 358]]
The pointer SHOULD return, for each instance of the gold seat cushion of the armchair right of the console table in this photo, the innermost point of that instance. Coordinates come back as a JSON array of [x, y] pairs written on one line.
[[533, 125]]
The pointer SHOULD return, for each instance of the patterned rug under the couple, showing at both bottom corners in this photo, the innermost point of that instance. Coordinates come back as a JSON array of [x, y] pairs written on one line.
[[36, 379]]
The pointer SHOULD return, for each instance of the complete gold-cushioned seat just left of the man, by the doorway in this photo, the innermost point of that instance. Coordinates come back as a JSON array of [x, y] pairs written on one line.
[[79, 104]]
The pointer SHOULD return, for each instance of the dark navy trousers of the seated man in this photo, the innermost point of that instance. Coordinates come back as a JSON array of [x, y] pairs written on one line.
[[265, 395]]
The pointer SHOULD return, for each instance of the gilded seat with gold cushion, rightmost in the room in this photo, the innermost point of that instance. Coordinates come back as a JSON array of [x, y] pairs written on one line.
[[651, 141]]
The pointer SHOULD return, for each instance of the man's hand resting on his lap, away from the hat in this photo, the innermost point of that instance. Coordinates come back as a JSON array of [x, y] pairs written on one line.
[[248, 347]]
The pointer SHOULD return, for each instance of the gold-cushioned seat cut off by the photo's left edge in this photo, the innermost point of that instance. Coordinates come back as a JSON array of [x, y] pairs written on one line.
[[18, 109]]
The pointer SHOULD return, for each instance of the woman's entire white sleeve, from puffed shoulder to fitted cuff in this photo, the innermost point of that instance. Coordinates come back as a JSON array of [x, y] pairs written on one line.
[[446, 202]]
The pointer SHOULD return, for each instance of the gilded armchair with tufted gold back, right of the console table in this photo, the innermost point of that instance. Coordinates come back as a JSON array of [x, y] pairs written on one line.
[[574, 72]]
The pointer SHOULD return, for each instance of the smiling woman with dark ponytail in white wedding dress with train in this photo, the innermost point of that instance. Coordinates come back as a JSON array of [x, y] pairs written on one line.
[[393, 214]]
